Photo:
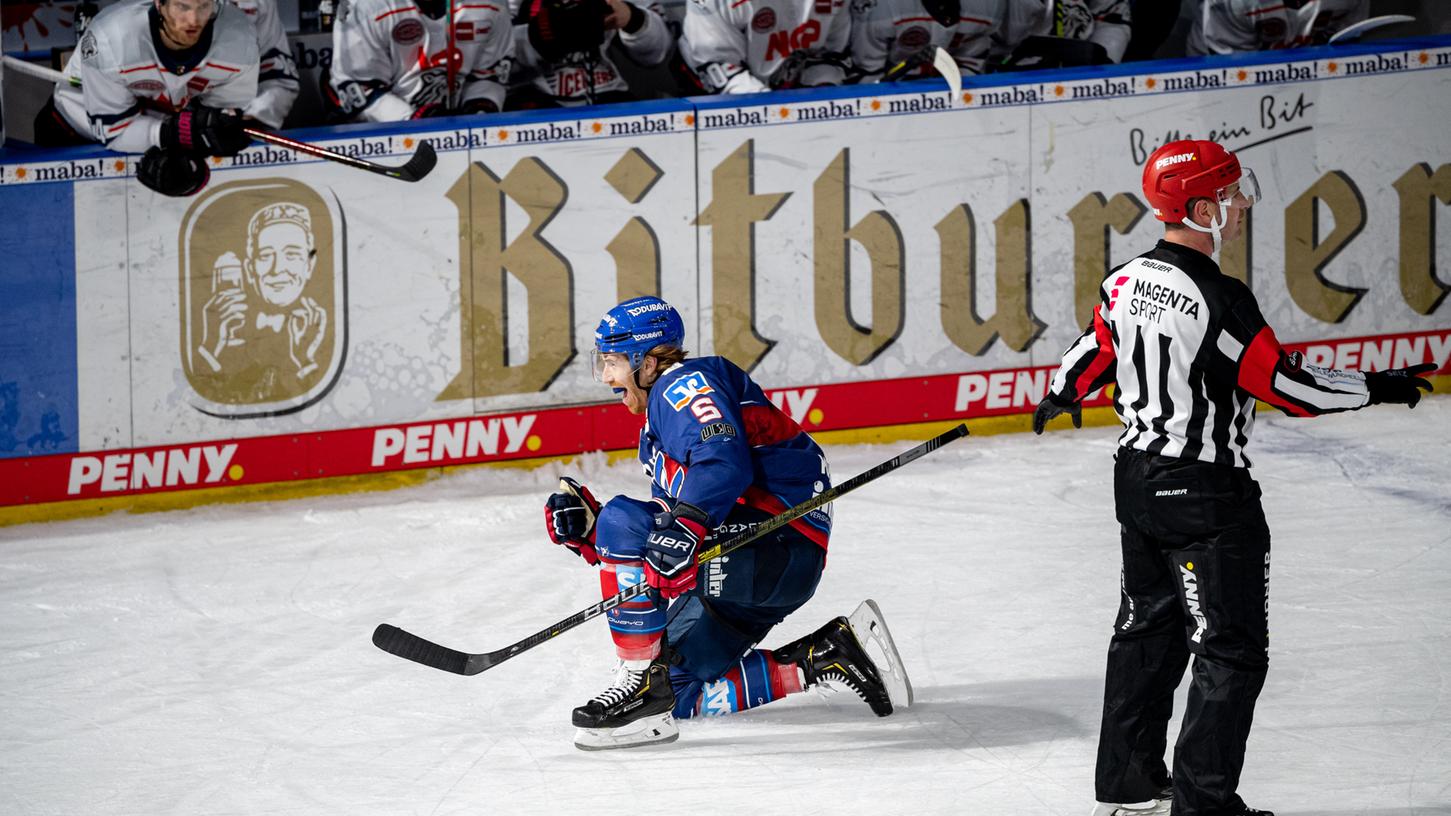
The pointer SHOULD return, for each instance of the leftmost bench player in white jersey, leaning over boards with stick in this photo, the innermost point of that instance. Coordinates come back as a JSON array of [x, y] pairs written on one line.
[[157, 75]]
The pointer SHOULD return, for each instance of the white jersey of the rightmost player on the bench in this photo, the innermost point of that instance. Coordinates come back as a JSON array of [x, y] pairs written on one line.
[[1225, 27]]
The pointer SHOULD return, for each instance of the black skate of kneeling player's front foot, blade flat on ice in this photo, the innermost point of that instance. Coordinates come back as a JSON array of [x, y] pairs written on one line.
[[636, 711]]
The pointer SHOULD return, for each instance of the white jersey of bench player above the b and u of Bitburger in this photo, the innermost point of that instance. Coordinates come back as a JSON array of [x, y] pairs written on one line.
[[884, 33]]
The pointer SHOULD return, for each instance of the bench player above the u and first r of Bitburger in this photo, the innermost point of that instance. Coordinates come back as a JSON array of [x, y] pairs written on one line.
[[1041, 34]]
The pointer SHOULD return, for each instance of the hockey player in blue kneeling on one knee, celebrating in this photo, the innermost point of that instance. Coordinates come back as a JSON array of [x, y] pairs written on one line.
[[720, 458]]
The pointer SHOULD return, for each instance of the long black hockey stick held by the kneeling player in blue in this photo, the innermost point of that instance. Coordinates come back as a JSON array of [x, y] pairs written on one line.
[[414, 648]]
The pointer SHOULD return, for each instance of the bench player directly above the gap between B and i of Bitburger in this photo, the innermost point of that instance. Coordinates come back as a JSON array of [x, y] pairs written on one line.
[[564, 52]]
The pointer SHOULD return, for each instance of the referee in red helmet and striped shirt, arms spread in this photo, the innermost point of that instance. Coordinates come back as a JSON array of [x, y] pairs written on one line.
[[1191, 354]]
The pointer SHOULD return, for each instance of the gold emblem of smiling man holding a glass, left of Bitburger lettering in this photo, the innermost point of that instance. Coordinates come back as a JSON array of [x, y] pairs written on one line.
[[263, 298]]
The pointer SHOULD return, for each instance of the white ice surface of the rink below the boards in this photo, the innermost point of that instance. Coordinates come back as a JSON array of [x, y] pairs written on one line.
[[218, 661]]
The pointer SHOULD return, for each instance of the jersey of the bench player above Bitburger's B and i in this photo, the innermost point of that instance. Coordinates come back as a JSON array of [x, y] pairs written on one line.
[[580, 81]]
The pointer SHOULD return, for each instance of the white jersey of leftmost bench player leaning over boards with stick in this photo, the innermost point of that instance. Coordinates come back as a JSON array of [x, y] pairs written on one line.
[[120, 86]]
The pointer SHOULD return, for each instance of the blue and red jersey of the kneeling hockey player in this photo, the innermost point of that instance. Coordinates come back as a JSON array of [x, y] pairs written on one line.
[[712, 439]]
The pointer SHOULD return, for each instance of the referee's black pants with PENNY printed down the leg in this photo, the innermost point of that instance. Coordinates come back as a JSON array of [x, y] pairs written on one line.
[[1196, 582]]
